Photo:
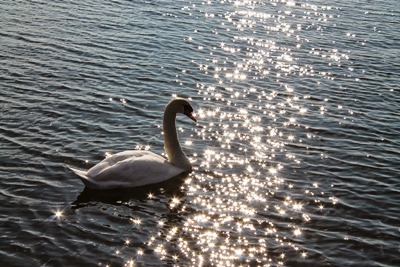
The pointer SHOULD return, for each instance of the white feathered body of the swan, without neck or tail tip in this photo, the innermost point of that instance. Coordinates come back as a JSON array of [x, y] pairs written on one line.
[[131, 168]]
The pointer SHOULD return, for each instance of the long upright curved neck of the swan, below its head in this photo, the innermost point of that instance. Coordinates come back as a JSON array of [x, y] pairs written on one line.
[[171, 143]]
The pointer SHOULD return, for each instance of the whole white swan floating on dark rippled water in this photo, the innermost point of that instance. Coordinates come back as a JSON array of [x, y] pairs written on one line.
[[140, 167]]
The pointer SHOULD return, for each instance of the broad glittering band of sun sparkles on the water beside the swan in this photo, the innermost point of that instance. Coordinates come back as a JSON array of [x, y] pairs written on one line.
[[241, 192]]
